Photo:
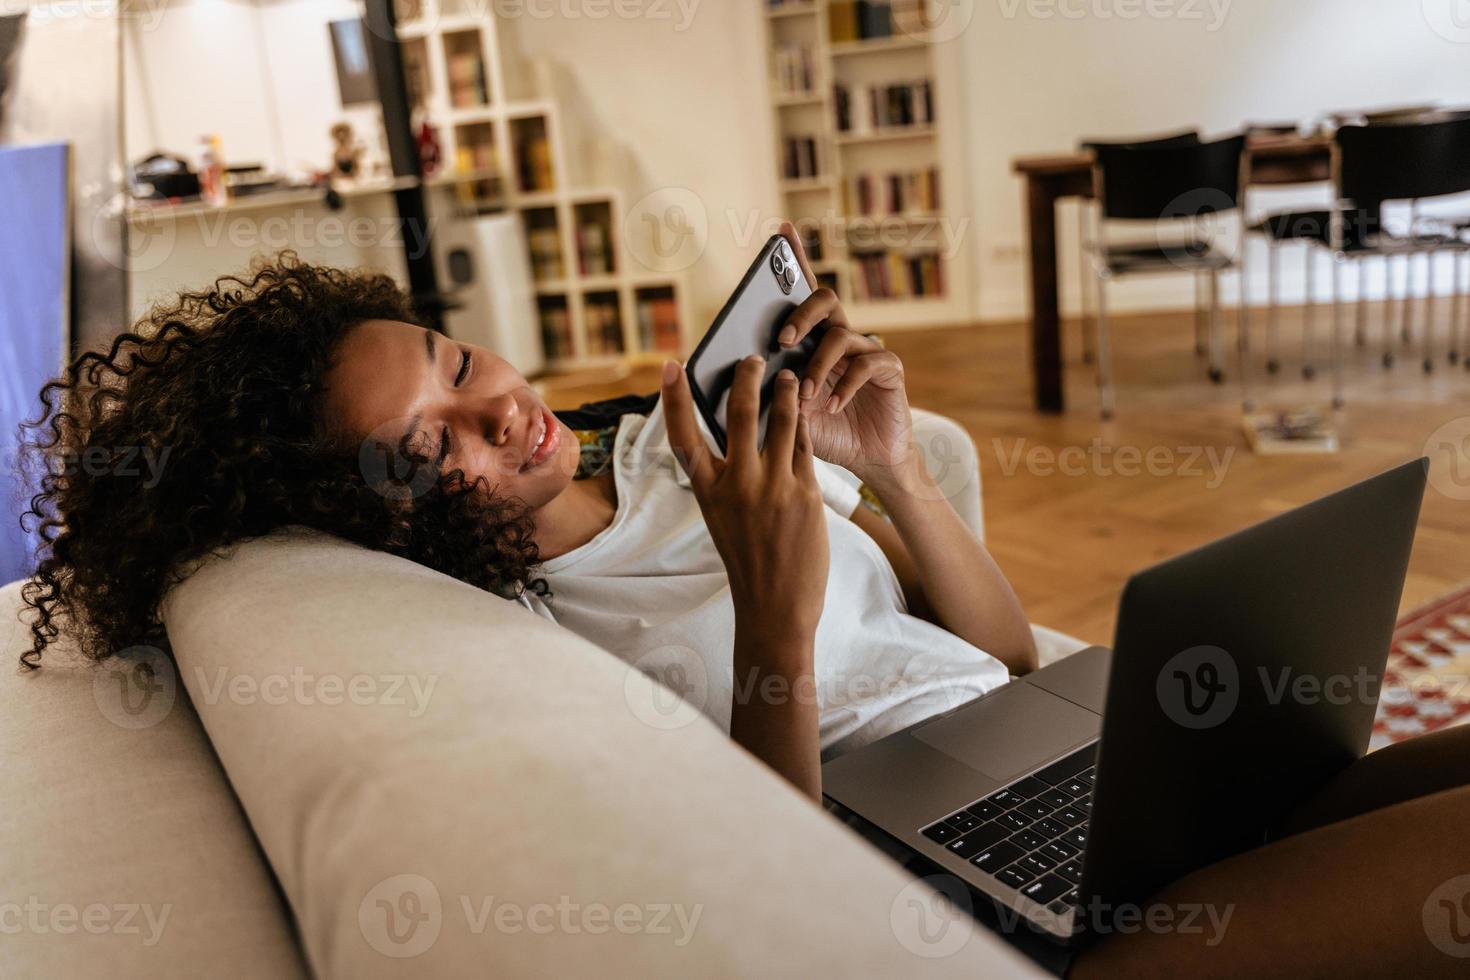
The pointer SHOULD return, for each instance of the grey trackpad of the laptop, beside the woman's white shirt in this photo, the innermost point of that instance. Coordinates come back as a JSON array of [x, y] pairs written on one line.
[[1011, 732]]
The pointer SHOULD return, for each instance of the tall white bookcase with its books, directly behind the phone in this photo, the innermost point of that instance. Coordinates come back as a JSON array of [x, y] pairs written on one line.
[[871, 156]]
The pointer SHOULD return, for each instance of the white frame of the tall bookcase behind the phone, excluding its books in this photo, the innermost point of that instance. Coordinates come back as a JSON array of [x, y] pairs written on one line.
[[824, 201]]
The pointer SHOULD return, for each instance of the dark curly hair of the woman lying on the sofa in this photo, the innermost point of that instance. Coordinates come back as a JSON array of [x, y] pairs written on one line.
[[223, 392]]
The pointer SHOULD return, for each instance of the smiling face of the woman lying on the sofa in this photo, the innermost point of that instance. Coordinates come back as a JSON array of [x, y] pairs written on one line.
[[458, 403]]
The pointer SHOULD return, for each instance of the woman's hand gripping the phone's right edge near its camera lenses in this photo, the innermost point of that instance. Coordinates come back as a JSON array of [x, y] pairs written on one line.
[[853, 390]]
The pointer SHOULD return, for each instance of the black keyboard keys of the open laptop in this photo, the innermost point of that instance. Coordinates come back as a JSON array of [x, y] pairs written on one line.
[[1031, 835]]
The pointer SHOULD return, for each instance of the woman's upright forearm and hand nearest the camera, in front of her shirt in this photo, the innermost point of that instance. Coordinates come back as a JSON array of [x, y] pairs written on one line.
[[765, 514]]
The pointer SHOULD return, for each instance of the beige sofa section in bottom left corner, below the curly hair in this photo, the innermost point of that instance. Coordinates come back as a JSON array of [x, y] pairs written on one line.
[[123, 849]]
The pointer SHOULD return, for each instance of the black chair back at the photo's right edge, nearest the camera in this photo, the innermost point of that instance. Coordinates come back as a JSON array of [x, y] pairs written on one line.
[[1405, 162]]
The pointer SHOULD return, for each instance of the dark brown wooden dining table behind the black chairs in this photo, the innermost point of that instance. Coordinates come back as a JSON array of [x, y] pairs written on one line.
[[1271, 161]]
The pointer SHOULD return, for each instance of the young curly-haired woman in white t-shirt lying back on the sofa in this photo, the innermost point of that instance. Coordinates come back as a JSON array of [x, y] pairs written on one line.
[[308, 396]]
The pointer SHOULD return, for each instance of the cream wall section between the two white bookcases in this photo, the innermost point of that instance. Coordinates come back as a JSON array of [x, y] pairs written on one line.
[[686, 98]]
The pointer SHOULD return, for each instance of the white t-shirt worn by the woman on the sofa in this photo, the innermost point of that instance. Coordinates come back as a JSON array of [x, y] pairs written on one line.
[[652, 590]]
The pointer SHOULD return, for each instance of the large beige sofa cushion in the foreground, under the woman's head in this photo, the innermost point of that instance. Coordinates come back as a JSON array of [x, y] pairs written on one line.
[[449, 785]]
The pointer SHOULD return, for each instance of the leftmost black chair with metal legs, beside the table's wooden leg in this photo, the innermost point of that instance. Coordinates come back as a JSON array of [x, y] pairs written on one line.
[[1168, 186]]
